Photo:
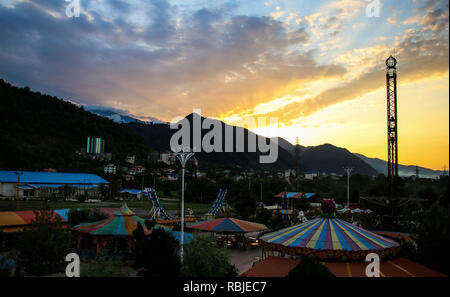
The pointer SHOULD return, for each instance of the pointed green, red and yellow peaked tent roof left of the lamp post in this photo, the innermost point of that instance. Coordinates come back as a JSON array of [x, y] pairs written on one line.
[[122, 223]]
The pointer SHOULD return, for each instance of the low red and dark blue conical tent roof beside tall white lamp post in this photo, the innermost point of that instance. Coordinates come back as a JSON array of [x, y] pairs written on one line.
[[229, 225]]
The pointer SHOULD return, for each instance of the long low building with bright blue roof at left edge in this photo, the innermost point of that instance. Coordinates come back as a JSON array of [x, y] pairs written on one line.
[[49, 184]]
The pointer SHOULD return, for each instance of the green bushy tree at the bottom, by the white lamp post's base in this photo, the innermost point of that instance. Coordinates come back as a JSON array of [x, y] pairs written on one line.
[[203, 258]]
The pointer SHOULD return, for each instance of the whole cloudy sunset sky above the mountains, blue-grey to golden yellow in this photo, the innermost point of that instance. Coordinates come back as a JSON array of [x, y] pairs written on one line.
[[316, 66]]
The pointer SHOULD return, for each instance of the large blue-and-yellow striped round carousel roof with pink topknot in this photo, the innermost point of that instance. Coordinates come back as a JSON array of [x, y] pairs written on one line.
[[329, 238]]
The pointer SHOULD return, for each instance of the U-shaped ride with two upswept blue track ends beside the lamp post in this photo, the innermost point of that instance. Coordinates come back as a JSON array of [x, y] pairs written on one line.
[[163, 217]]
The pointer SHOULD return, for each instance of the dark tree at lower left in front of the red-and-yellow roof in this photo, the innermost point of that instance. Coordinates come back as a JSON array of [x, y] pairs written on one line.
[[43, 248]]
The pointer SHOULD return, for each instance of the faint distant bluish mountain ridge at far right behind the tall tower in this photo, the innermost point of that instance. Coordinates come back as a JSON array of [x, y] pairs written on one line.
[[403, 170]]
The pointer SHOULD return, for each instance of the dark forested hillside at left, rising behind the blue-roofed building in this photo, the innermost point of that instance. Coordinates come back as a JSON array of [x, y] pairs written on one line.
[[40, 131]]
